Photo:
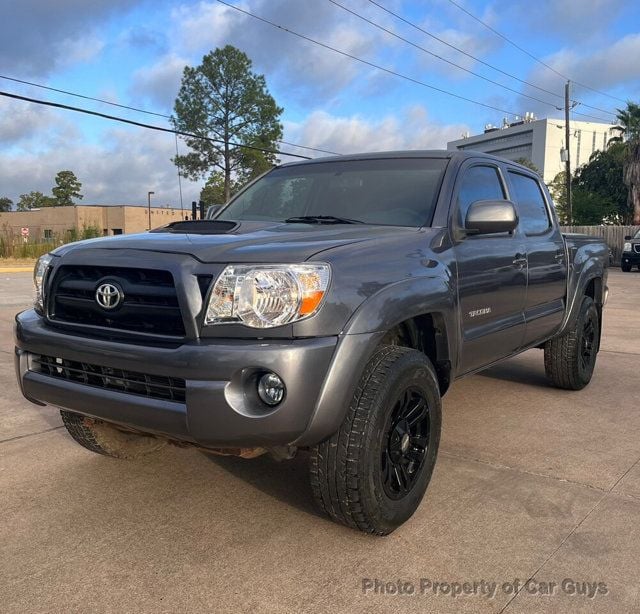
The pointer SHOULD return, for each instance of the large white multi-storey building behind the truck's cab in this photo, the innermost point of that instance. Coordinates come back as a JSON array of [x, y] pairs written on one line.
[[541, 141]]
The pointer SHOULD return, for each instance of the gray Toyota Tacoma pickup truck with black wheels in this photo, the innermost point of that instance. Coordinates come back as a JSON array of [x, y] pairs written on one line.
[[327, 307]]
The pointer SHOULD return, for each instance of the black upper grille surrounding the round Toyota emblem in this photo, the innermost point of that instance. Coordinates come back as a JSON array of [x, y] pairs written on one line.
[[150, 303]]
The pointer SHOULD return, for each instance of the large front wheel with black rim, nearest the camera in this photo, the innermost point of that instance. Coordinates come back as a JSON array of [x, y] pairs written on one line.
[[372, 474]]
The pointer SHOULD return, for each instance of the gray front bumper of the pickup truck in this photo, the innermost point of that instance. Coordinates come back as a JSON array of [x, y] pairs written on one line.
[[219, 409]]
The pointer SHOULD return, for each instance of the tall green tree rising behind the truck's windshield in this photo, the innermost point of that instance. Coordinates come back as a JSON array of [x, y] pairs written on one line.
[[223, 99]]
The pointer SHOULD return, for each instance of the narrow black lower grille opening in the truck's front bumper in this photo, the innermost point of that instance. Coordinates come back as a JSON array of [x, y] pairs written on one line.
[[120, 380]]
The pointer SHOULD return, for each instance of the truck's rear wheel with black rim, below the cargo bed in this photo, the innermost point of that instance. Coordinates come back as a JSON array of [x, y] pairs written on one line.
[[569, 359]]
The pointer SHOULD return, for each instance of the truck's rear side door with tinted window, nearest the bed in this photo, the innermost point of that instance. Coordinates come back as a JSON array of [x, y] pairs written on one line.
[[547, 274]]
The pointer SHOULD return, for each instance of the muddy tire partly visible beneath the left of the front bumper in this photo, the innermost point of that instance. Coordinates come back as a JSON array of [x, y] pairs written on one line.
[[103, 438]]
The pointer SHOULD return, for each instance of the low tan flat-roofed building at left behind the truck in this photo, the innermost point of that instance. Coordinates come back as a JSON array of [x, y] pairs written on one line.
[[51, 223]]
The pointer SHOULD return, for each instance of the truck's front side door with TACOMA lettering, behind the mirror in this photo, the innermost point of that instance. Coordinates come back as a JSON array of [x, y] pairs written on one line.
[[492, 274]]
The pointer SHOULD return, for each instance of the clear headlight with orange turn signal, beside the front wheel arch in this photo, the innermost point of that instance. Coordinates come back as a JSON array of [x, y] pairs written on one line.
[[264, 296]]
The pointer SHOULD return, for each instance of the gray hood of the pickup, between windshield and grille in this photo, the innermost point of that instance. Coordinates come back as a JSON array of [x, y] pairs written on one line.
[[245, 241]]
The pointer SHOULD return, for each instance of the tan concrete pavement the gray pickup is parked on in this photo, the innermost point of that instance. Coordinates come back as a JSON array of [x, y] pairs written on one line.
[[531, 482]]
